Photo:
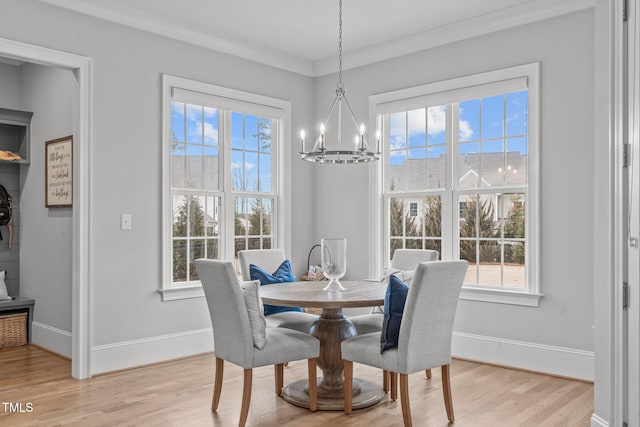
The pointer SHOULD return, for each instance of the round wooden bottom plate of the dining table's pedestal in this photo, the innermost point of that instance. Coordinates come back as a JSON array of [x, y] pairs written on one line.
[[296, 393]]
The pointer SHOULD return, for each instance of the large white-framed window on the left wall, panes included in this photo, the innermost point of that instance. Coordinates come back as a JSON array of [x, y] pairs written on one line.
[[222, 183]]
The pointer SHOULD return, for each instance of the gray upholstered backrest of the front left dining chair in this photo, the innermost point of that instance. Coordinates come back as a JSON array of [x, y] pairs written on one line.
[[229, 318]]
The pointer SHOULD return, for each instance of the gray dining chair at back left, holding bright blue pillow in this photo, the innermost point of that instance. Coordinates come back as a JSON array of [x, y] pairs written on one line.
[[270, 260]]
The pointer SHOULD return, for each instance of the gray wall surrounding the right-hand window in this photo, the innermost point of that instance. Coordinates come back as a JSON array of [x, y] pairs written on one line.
[[565, 48]]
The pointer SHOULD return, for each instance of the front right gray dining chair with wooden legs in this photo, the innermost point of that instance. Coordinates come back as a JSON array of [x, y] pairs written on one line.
[[424, 340]]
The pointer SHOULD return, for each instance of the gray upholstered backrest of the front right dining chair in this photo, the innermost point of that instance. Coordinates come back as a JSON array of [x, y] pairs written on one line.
[[427, 322]]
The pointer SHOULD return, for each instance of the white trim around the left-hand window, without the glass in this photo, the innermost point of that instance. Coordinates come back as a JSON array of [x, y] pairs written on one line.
[[282, 168]]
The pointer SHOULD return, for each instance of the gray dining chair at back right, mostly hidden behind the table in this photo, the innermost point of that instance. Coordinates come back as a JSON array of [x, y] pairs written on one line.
[[403, 260]]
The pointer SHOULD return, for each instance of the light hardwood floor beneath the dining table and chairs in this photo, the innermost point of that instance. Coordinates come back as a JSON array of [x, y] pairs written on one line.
[[178, 393]]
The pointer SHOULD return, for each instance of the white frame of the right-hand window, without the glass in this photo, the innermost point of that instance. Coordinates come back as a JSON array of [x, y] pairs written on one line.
[[446, 92]]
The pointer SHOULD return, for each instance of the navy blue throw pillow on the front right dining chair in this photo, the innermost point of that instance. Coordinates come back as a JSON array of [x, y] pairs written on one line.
[[394, 300]]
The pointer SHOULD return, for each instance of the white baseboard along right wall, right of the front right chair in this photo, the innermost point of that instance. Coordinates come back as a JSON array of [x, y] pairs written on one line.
[[566, 362]]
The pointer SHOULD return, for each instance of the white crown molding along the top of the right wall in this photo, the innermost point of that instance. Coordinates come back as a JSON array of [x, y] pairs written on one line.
[[526, 13]]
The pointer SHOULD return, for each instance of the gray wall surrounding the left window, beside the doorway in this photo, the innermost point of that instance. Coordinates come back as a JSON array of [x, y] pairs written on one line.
[[125, 150]]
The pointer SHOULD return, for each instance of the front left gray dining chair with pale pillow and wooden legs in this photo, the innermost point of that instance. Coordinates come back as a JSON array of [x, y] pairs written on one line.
[[237, 337]]
